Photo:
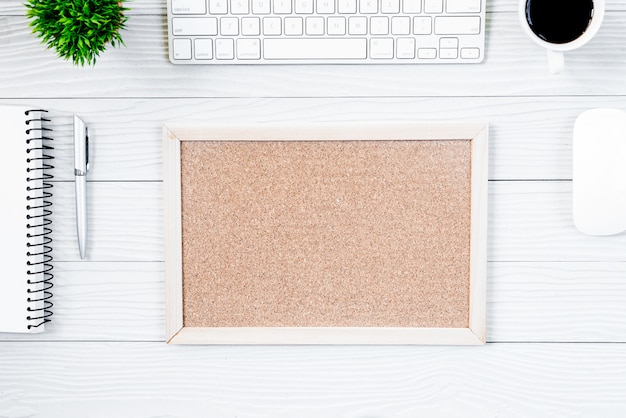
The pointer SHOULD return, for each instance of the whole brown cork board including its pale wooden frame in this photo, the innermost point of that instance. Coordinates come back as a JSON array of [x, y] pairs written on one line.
[[332, 234]]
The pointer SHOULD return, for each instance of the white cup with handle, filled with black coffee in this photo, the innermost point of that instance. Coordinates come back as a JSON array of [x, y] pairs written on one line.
[[554, 31]]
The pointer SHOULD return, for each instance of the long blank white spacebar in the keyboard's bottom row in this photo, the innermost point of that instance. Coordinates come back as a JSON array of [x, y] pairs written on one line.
[[312, 49]]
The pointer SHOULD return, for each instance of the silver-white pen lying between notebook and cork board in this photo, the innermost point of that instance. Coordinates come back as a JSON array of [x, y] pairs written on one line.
[[81, 167]]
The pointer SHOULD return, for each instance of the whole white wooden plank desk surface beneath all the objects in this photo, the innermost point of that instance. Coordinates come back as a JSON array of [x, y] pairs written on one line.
[[556, 299]]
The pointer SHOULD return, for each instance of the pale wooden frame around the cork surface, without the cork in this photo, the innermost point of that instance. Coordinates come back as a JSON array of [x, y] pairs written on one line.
[[177, 332]]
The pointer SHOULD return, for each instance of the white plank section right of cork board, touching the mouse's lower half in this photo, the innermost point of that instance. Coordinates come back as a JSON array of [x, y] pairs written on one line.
[[532, 221]]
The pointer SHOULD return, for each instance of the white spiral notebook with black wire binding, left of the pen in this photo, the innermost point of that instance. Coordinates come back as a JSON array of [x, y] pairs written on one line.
[[25, 224]]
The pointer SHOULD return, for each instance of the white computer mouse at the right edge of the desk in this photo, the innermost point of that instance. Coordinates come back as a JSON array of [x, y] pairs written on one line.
[[599, 172]]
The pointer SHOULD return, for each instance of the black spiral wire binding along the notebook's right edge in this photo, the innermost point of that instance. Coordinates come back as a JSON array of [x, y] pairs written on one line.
[[38, 218]]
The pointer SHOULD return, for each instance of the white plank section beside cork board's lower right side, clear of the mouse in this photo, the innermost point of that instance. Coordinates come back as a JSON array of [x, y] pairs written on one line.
[[565, 302]]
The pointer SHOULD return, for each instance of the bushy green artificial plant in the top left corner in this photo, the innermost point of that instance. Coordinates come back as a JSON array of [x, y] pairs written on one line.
[[79, 30]]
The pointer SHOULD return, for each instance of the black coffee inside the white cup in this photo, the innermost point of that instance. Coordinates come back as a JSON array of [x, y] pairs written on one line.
[[559, 21]]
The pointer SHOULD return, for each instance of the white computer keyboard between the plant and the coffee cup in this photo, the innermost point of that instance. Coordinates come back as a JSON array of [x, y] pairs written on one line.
[[325, 31]]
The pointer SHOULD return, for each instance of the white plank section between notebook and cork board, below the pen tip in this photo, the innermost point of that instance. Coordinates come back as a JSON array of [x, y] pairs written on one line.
[[121, 301]]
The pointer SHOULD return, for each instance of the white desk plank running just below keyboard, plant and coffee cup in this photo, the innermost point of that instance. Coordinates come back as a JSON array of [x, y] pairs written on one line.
[[142, 69]]
